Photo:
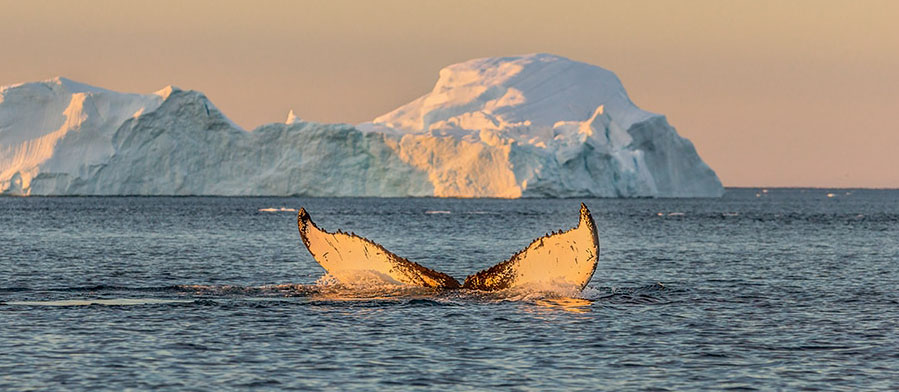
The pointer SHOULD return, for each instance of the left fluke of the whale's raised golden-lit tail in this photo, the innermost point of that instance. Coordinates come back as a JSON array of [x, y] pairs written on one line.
[[347, 256]]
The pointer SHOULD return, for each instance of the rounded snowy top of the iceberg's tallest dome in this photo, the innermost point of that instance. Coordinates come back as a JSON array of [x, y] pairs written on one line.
[[531, 91]]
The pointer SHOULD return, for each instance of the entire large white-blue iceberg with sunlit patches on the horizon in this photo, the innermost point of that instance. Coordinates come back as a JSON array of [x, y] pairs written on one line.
[[528, 126]]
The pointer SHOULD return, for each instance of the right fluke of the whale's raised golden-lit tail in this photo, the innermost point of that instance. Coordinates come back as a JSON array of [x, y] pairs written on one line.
[[566, 258]]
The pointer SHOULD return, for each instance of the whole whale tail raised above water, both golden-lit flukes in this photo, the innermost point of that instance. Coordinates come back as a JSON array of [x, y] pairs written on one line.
[[559, 259]]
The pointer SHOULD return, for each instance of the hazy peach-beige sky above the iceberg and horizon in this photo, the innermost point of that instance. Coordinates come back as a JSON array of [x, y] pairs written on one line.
[[780, 93]]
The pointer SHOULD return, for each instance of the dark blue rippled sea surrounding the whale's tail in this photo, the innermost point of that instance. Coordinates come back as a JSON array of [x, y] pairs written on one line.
[[788, 290]]
